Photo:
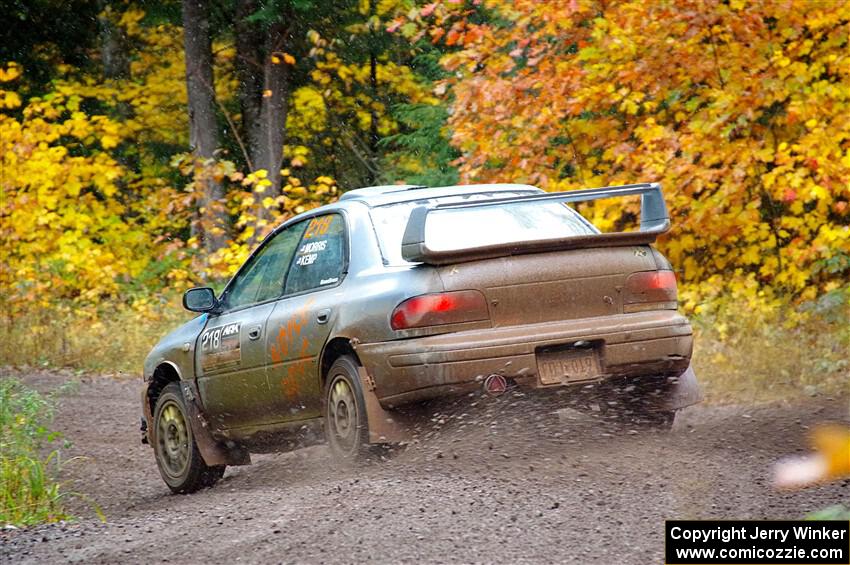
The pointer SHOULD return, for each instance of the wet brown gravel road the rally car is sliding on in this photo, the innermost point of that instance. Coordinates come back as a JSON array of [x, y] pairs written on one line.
[[498, 482]]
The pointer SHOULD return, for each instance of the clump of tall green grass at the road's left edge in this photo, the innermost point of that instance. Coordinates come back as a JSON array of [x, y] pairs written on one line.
[[28, 492]]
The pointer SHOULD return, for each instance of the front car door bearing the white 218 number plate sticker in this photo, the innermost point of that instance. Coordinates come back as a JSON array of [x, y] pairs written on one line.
[[230, 353]]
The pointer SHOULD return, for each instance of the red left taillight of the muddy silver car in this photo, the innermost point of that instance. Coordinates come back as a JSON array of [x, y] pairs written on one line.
[[439, 309]]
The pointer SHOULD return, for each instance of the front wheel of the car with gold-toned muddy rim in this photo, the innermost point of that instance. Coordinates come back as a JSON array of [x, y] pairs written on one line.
[[177, 455]]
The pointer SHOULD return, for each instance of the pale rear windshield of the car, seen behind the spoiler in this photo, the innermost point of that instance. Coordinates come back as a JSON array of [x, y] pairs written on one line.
[[467, 228]]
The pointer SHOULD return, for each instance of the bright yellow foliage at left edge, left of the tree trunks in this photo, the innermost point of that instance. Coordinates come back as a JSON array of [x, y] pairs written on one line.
[[66, 235]]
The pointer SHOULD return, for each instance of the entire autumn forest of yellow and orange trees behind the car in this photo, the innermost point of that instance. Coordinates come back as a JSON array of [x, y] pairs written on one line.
[[147, 146]]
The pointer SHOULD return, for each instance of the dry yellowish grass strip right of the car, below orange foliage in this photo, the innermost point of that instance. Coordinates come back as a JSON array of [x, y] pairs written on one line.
[[745, 352]]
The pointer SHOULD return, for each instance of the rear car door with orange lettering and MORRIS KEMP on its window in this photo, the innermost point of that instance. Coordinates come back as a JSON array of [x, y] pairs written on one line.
[[300, 323]]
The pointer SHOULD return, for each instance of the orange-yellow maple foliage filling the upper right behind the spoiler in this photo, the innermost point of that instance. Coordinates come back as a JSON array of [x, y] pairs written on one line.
[[740, 109]]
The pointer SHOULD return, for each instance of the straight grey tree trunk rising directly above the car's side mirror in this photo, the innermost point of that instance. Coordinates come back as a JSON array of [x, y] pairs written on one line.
[[203, 128]]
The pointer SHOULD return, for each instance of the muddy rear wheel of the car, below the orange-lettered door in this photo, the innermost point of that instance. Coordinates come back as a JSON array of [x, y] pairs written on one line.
[[346, 426]]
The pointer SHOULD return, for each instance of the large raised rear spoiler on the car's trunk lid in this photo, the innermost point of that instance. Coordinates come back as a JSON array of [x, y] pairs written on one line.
[[654, 220]]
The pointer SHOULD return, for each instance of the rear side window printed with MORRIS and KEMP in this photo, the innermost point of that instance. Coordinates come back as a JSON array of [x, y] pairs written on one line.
[[320, 257]]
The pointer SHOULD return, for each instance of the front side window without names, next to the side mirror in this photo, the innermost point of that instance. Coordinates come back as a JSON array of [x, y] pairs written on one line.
[[262, 279]]
